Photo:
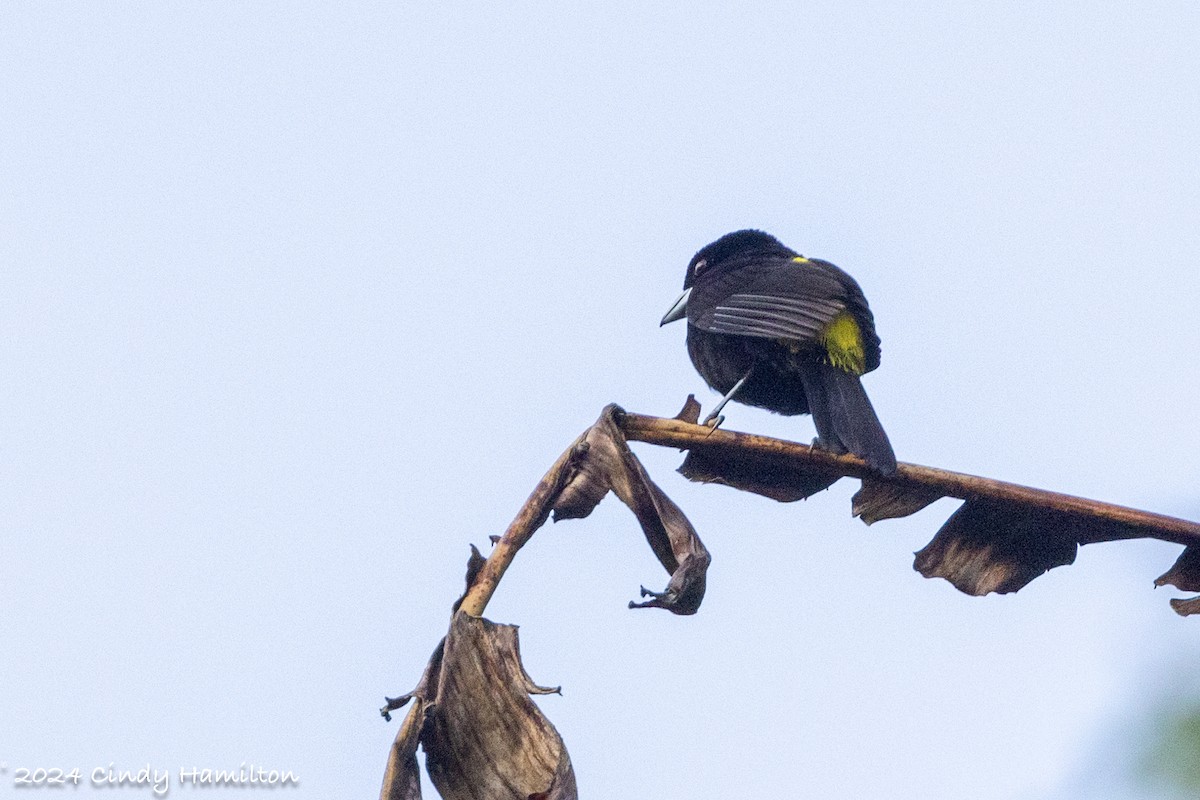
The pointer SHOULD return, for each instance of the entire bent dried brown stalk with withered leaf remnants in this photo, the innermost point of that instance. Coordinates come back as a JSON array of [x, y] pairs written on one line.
[[472, 713]]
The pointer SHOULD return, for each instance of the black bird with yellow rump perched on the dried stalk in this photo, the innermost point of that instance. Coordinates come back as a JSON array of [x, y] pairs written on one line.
[[770, 328]]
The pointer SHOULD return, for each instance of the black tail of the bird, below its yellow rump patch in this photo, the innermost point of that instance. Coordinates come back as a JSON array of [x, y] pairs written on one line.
[[845, 419]]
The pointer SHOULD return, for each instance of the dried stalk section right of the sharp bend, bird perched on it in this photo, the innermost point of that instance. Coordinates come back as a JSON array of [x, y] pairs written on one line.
[[1004, 536]]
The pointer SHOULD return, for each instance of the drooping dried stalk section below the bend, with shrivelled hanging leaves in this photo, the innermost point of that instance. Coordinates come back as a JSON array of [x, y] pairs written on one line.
[[472, 714]]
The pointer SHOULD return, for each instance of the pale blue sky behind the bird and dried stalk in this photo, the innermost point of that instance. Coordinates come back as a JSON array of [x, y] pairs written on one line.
[[301, 299]]
